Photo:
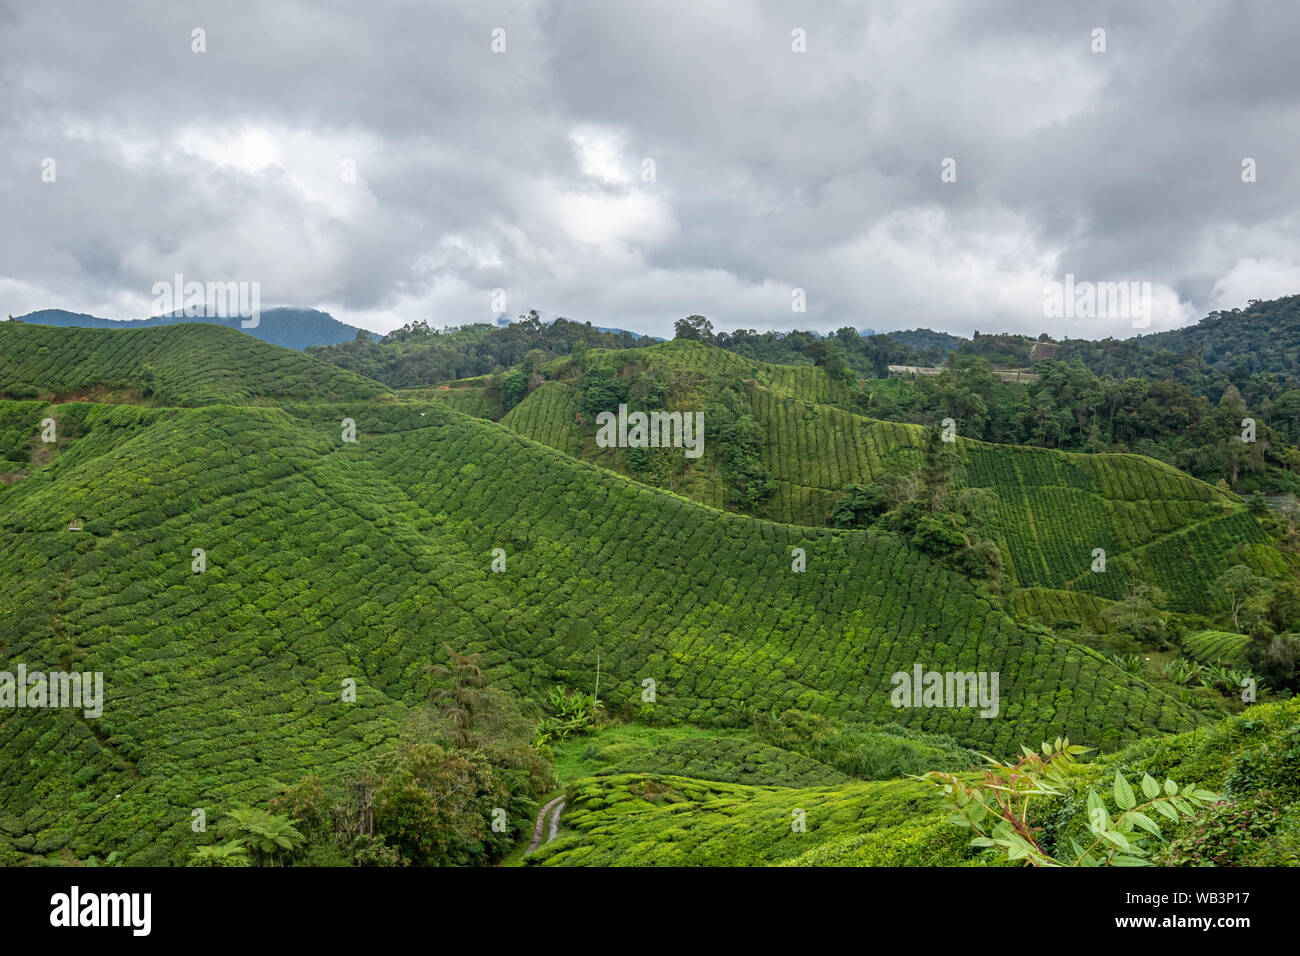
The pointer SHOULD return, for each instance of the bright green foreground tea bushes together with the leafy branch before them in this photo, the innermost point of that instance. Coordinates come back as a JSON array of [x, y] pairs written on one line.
[[661, 819]]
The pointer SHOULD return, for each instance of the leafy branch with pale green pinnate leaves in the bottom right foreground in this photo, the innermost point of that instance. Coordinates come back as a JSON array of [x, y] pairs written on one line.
[[998, 810]]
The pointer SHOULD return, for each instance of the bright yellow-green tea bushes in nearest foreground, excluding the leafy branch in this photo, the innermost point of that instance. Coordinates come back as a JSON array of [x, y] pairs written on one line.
[[666, 820]]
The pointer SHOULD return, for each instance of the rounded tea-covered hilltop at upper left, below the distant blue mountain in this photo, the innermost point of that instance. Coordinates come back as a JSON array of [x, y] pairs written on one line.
[[174, 365]]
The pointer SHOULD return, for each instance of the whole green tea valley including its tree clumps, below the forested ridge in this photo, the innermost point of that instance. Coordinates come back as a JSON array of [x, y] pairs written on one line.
[[740, 694]]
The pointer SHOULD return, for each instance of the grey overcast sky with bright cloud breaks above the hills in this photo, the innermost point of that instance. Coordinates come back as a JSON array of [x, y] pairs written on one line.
[[632, 163]]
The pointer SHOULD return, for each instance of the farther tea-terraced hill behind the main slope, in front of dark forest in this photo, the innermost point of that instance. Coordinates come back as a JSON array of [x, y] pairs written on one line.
[[1054, 509]]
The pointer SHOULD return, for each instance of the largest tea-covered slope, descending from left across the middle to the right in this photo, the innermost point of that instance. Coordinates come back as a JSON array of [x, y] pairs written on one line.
[[328, 561]]
